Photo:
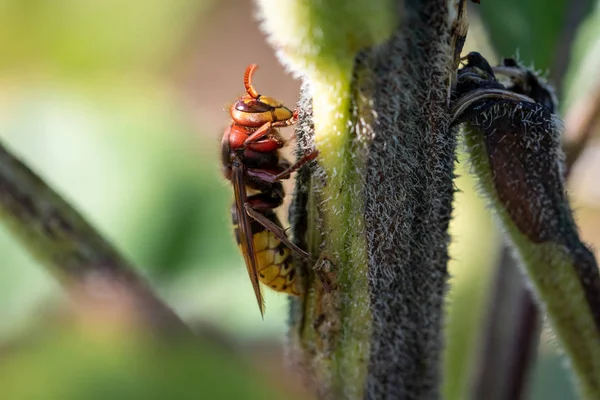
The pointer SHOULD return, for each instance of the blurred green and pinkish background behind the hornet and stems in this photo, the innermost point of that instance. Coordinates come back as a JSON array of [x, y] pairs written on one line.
[[120, 107]]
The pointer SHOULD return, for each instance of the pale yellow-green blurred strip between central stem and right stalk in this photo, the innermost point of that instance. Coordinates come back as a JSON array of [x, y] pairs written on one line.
[[470, 270]]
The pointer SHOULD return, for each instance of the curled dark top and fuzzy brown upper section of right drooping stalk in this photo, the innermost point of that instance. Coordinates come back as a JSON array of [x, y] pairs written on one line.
[[522, 143]]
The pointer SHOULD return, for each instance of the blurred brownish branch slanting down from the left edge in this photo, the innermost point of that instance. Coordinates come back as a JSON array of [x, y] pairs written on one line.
[[72, 249]]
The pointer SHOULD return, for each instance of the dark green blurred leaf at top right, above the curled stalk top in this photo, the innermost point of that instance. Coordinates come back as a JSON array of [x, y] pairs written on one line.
[[530, 29]]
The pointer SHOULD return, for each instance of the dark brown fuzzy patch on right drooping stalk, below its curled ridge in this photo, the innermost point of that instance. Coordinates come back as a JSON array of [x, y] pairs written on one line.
[[522, 144]]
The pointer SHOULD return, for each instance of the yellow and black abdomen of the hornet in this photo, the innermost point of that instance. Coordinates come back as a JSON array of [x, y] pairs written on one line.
[[273, 258]]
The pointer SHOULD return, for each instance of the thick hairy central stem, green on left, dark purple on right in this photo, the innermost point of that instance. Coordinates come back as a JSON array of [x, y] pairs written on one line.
[[378, 205]]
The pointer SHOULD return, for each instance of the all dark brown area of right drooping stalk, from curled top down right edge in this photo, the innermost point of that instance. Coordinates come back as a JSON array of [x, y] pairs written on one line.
[[514, 140]]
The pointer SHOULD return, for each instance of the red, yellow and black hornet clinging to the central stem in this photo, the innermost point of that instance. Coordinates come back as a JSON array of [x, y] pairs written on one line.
[[251, 161]]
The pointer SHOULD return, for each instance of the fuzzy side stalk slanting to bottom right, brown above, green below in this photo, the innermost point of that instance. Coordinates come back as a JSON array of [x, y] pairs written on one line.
[[515, 153]]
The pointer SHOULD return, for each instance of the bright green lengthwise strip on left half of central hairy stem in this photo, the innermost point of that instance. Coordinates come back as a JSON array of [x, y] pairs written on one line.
[[343, 216]]
